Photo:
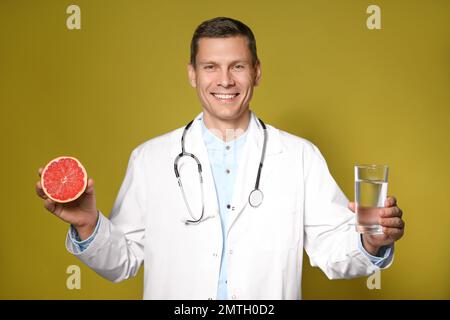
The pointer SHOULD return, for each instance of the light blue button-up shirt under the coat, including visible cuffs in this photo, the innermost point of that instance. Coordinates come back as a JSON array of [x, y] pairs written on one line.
[[224, 158]]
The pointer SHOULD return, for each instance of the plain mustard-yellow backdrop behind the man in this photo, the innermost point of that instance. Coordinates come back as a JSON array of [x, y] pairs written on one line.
[[362, 96]]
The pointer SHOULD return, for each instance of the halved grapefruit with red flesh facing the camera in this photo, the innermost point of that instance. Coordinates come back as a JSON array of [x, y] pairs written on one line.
[[64, 179]]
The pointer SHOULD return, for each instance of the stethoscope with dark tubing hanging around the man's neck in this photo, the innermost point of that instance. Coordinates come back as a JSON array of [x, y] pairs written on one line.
[[255, 197]]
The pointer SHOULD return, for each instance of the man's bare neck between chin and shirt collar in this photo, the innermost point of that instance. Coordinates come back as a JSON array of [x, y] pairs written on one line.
[[227, 130]]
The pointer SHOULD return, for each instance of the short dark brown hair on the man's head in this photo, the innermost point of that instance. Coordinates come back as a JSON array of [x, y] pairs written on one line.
[[222, 27]]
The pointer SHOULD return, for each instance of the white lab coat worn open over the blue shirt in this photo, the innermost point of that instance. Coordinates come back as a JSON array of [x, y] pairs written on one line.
[[303, 207]]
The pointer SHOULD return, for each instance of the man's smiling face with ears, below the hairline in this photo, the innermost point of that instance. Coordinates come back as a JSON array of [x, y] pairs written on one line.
[[224, 76]]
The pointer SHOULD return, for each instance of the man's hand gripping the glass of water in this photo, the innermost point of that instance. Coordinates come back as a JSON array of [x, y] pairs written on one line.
[[390, 218]]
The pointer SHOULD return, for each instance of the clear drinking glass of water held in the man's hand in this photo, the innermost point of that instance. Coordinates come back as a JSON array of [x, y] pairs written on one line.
[[370, 194]]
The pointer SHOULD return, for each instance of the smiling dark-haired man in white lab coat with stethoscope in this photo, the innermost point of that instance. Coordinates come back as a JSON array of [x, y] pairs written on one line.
[[218, 239]]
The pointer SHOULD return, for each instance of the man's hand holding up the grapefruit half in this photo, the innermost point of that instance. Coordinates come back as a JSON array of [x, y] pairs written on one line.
[[81, 213]]
